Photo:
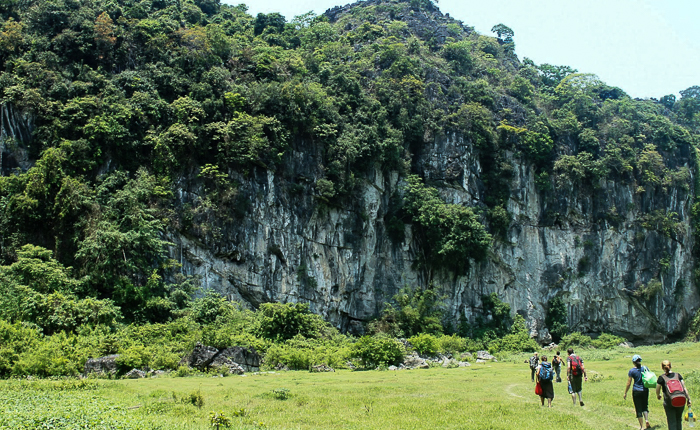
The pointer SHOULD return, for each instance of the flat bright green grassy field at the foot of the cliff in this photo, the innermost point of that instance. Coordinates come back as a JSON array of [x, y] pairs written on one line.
[[483, 396]]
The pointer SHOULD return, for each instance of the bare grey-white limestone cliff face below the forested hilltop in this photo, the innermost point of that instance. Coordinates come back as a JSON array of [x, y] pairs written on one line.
[[589, 248]]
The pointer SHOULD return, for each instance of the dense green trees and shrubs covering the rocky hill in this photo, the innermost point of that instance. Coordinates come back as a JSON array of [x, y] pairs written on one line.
[[112, 107]]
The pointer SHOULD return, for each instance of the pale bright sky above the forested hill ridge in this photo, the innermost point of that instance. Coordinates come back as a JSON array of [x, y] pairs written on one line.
[[649, 48]]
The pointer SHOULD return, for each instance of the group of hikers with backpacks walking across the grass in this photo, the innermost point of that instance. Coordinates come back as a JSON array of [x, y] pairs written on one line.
[[640, 378]]
